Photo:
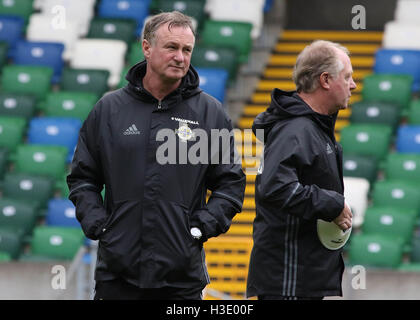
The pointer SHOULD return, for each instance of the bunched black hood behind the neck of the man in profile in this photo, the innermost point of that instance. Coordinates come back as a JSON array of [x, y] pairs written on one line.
[[286, 105]]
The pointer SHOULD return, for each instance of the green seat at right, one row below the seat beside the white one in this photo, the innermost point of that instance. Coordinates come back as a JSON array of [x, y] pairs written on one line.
[[391, 222]]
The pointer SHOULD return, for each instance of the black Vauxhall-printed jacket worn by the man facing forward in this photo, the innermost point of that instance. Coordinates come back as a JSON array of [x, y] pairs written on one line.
[[143, 224]]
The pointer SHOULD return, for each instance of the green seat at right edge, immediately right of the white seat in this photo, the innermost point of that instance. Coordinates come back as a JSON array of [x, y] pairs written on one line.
[[396, 194]]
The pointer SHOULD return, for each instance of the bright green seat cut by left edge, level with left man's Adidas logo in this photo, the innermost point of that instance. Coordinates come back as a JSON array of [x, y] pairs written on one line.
[[12, 130]]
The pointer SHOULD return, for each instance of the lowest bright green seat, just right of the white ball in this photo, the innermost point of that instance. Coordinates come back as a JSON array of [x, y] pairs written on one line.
[[375, 251]]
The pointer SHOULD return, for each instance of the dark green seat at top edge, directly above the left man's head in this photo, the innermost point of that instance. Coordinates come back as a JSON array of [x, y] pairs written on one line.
[[192, 8]]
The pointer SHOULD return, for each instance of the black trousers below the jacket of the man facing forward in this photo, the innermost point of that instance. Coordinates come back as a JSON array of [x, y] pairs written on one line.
[[119, 289]]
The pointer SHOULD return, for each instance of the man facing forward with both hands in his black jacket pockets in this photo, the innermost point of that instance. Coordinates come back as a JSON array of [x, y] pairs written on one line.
[[154, 219]]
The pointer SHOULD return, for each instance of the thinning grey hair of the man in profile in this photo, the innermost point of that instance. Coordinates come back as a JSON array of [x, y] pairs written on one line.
[[318, 57]]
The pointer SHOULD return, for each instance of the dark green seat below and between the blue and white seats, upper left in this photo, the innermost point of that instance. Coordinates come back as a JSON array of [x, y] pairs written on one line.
[[85, 80]]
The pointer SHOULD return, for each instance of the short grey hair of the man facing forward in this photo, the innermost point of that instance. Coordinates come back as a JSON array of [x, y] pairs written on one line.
[[174, 19]]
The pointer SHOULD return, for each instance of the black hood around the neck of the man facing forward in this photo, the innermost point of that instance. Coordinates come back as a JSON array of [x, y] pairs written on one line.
[[189, 85]]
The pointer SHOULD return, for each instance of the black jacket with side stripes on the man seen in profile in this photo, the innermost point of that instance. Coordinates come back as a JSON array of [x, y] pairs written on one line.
[[301, 181]]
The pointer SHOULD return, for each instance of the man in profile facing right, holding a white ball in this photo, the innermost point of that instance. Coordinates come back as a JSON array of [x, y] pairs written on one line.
[[301, 181]]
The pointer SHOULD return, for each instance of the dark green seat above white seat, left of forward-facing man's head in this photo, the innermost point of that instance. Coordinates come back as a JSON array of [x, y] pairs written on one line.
[[118, 29]]
